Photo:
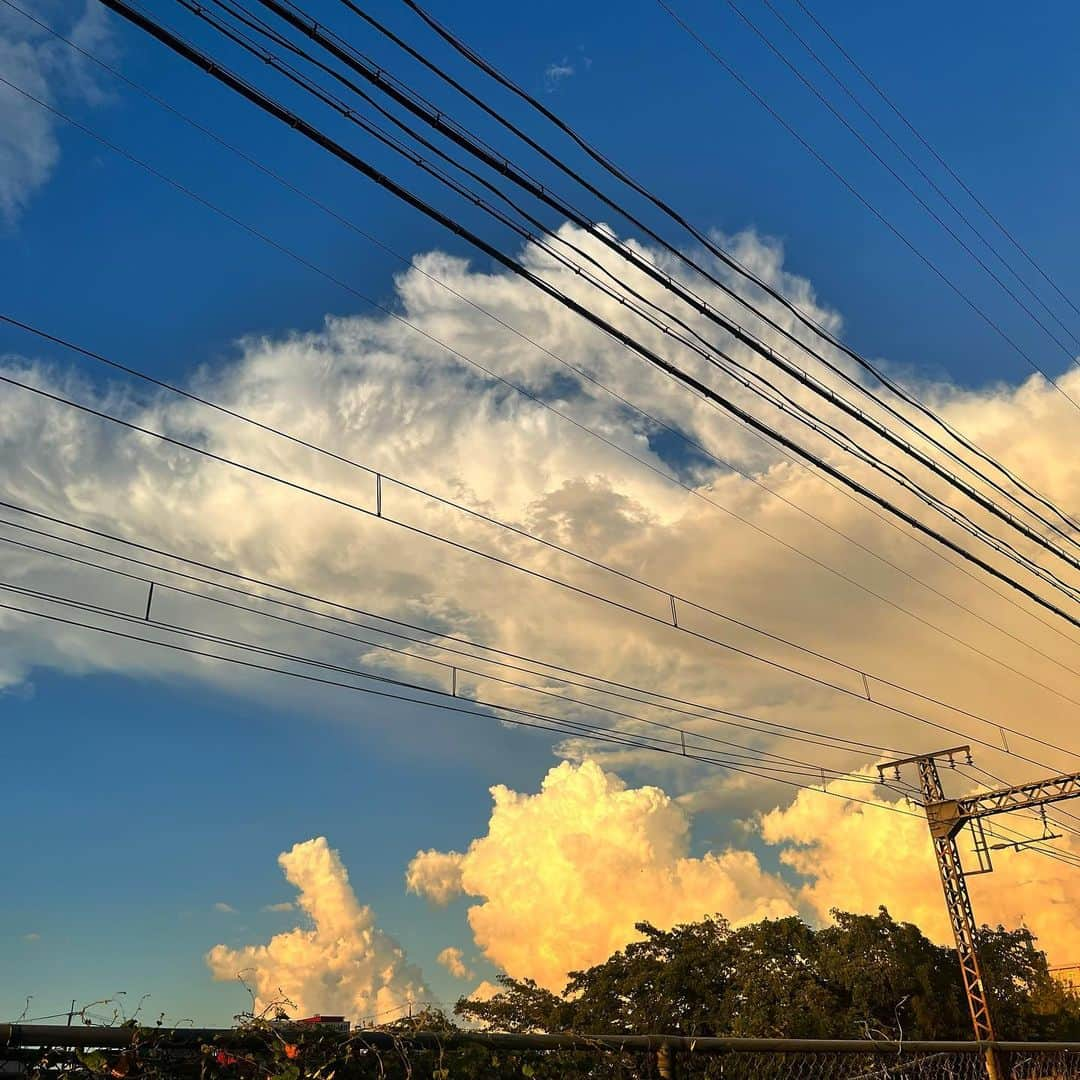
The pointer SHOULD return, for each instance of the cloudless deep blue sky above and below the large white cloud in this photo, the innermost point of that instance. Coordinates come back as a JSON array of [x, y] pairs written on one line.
[[136, 806]]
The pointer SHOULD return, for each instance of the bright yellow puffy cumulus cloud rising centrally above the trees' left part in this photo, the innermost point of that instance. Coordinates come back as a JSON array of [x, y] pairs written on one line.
[[563, 875]]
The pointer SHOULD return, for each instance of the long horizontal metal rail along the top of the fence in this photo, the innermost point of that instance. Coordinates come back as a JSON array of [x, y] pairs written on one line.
[[121, 1038]]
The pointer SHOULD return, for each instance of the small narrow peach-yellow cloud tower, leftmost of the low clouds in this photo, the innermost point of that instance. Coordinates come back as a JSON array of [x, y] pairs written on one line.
[[343, 964]]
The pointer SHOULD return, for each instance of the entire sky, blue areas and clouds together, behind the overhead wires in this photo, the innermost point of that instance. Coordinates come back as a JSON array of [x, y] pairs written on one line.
[[153, 802]]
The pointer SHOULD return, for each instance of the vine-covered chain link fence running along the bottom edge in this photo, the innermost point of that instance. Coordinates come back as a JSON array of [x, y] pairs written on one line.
[[294, 1054]]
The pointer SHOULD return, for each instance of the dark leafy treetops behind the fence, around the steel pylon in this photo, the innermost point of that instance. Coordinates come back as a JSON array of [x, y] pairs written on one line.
[[865, 976]]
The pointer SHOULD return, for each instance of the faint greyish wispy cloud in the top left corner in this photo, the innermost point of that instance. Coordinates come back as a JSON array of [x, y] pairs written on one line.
[[50, 71]]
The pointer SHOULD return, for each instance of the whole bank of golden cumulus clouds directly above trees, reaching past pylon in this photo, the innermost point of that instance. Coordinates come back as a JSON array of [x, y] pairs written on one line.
[[563, 875]]
